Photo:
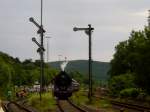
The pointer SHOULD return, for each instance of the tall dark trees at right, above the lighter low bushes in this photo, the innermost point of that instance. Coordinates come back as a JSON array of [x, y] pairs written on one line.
[[133, 56]]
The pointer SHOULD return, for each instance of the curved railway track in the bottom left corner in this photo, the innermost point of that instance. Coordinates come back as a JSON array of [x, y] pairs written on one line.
[[14, 107]]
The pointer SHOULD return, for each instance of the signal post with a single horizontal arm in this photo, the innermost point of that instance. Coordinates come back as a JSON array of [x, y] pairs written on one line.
[[88, 31]]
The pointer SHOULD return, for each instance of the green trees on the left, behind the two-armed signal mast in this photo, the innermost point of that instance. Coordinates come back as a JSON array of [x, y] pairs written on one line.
[[14, 73]]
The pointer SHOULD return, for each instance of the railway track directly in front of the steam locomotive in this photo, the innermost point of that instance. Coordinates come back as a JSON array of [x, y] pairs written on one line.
[[68, 106]]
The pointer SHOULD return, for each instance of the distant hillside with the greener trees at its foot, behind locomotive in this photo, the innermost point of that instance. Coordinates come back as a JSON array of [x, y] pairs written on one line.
[[78, 69]]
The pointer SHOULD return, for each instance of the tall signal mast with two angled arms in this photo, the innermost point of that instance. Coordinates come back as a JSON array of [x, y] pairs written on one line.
[[41, 49]]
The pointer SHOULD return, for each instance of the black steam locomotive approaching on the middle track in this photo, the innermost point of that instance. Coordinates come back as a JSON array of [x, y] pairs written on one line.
[[64, 86]]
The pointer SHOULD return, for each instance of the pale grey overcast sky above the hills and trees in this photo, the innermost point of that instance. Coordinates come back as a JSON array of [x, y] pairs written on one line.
[[113, 20]]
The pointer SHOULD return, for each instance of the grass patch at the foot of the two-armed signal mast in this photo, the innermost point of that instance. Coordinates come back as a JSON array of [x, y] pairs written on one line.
[[46, 104]]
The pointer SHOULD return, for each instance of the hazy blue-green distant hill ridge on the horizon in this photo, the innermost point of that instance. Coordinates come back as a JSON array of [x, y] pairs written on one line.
[[100, 69]]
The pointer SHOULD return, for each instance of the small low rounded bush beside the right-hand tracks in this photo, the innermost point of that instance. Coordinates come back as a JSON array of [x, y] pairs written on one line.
[[129, 92]]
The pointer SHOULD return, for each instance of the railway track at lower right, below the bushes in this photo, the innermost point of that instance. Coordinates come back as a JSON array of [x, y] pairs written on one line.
[[126, 106]]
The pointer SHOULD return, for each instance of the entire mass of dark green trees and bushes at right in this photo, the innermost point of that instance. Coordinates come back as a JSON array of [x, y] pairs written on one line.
[[130, 66]]
